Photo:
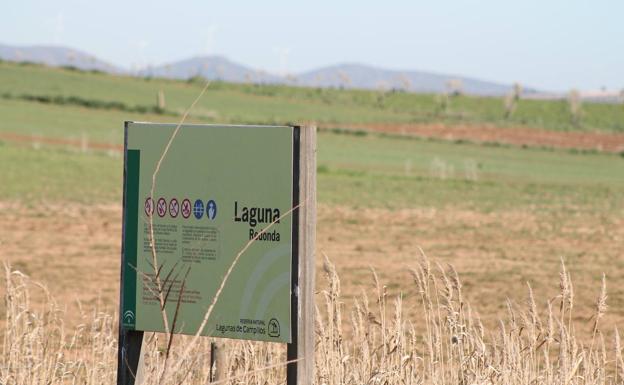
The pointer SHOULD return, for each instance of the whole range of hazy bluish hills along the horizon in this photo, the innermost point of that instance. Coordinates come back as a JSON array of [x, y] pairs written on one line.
[[220, 68]]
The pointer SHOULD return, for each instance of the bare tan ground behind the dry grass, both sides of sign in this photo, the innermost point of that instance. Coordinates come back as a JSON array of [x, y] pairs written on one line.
[[74, 250]]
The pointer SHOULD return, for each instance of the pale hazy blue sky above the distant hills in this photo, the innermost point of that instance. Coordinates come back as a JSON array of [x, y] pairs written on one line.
[[549, 44]]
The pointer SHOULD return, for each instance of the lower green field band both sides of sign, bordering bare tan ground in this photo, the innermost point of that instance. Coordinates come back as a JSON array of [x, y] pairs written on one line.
[[362, 172]]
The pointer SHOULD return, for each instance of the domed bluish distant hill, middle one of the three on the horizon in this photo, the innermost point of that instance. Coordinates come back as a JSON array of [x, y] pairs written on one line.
[[211, 67]]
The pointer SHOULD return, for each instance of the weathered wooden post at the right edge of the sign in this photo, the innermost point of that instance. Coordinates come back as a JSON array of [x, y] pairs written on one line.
[[301, 349]]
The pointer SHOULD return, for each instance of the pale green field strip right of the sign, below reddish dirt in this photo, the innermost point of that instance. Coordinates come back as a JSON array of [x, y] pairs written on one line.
[[395, 172]]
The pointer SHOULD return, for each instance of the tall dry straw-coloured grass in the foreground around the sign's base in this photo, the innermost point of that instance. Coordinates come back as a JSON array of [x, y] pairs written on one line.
[[371, 342]]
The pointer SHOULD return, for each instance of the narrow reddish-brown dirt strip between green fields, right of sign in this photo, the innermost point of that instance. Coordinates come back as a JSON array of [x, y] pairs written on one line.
[[513, 135]]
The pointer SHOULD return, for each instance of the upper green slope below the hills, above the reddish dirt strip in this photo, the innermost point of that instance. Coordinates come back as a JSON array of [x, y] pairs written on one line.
[[278, 104]]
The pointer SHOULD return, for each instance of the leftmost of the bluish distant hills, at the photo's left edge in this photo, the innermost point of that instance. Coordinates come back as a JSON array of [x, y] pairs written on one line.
[[56, 57]]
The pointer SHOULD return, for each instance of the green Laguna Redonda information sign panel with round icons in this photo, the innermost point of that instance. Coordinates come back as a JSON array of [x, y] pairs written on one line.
[[217, 188]]
